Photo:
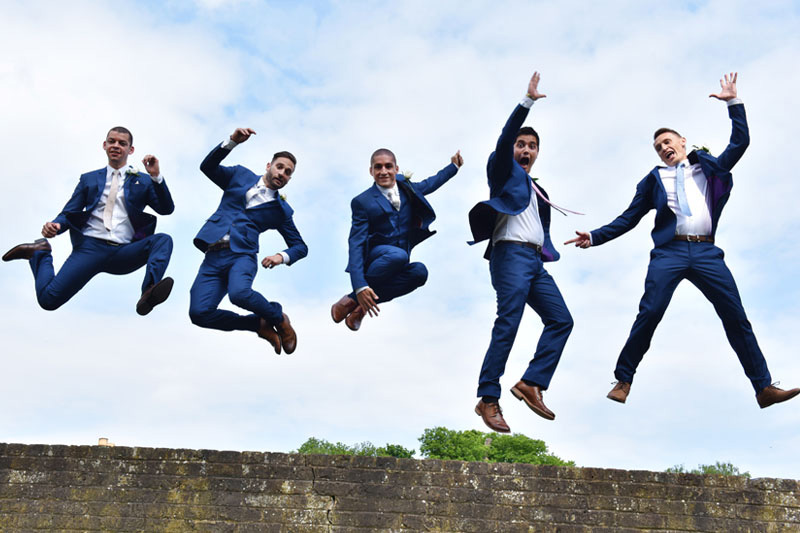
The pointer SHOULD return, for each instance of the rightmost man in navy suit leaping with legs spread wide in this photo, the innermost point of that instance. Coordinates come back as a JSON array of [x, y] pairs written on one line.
[[688, 194]]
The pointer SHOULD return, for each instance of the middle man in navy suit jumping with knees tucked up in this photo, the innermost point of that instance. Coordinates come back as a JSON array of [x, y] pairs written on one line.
[[389, 219]]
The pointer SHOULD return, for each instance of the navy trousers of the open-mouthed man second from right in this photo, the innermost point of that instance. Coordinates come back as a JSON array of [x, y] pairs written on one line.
[[519, 278]]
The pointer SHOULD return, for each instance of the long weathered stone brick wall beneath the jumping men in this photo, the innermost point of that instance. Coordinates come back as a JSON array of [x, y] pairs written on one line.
[[90, 488]]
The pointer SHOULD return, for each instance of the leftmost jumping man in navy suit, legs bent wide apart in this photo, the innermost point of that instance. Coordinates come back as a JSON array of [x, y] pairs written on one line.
[[109, 230]]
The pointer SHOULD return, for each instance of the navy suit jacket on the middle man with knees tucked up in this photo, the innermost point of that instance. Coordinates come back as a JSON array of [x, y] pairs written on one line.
[[372, 220]]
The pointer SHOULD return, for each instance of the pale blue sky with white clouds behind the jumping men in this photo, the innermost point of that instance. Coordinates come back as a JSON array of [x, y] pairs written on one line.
[[331, 82]]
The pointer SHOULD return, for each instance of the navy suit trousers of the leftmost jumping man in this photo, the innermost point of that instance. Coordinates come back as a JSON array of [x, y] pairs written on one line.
[[93, 256]]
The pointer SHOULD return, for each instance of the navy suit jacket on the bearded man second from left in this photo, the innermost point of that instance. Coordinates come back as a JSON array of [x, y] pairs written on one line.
[[245, 225]]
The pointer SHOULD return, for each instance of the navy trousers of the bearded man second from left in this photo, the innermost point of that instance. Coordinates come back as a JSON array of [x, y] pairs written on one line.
[[227, 272]]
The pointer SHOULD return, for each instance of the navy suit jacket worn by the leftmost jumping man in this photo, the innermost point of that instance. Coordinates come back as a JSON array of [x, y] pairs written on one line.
[[140, 191]]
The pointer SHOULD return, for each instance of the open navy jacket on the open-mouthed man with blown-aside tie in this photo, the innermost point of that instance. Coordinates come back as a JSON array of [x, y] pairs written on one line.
[[509, 190]]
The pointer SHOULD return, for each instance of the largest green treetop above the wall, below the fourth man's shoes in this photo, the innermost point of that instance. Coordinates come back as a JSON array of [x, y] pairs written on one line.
[[472, 445]]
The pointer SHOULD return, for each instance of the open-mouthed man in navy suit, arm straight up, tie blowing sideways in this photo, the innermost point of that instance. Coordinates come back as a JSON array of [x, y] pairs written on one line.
[[516, 220]]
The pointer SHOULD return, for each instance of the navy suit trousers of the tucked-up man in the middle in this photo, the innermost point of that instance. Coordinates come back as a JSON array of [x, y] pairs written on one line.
[[390, 274]]
